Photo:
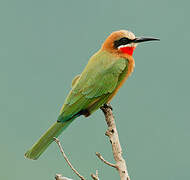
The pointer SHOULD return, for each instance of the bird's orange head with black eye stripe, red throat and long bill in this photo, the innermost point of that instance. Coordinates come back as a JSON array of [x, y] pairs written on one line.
[[123, 42]]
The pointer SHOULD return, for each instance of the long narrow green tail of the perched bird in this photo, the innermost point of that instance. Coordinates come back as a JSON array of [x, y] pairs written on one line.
[[47, 138]]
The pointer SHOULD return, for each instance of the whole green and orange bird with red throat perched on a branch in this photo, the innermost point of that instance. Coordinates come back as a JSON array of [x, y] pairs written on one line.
[[103, 76]]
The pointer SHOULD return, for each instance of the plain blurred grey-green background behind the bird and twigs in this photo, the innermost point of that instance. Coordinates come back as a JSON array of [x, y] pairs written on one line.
[[45, 43]]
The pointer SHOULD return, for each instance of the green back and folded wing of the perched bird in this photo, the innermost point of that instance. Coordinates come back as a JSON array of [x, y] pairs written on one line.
[[99, 78]]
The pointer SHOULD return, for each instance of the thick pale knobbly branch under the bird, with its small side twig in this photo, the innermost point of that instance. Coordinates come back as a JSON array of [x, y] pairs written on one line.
[[114, 140]]
